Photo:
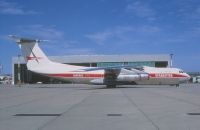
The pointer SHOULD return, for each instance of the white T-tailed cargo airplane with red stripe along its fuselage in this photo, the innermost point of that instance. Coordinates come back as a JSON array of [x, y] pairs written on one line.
[[110, 76]]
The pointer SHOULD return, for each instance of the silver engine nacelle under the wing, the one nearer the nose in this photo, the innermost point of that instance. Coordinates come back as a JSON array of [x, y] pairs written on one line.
[[133, 77]]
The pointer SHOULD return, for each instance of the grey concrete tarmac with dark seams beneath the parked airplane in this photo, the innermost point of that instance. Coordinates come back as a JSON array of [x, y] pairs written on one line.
[[90, 107]]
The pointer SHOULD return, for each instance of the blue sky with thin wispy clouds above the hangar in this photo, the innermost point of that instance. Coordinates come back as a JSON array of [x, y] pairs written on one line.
[[104, 27]]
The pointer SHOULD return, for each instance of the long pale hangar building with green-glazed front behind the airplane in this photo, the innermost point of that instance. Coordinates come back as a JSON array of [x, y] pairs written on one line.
[[27, 77]]
